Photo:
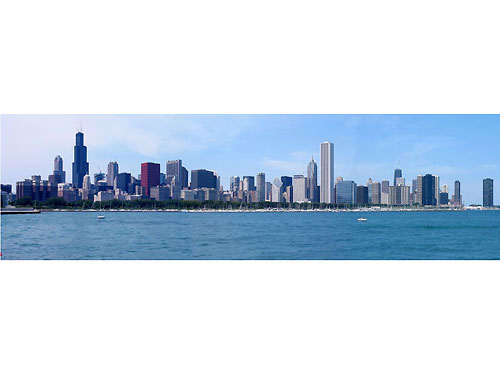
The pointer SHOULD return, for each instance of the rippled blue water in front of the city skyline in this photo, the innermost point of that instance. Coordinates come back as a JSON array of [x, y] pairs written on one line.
[[308, 235]]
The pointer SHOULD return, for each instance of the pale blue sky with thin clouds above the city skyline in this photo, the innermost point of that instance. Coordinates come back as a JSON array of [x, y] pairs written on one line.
[[464, 147]]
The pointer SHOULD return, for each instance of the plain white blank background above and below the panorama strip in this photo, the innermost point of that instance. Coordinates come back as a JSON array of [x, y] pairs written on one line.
[[249, 317]]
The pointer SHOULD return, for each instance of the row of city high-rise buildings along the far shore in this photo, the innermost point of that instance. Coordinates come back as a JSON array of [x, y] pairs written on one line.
[[204, 185]]
